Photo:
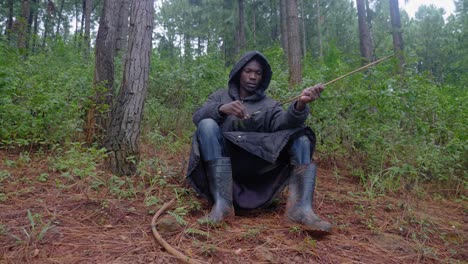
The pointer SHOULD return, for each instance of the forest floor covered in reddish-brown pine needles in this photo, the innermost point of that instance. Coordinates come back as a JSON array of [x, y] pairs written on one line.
[[46, 217]]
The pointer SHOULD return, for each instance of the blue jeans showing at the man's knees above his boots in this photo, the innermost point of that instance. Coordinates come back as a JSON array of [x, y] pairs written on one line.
[[212, 145]]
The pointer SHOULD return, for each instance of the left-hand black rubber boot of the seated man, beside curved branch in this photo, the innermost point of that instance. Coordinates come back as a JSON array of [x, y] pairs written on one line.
[[219, 174]]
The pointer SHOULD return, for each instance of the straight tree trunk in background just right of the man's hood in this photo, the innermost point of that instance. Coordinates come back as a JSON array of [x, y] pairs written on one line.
[[294, 46]]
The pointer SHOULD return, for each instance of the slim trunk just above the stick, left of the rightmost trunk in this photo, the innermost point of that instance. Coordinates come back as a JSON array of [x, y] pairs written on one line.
[[365, 42]]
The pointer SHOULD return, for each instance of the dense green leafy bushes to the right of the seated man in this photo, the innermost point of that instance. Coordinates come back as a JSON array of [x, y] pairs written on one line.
[[392, 130]]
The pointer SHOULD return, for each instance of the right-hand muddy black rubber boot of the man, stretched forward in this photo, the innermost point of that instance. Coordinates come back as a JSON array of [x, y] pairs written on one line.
[[299, 206]]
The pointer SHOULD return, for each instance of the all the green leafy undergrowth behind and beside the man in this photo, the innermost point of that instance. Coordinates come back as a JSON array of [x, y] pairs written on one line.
[[388, 131]]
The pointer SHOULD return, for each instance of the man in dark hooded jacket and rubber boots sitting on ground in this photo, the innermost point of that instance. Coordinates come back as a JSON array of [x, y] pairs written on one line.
[[240, 160]]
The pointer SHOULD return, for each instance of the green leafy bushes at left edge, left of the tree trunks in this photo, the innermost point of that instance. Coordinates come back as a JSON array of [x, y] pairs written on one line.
[[43, 97]]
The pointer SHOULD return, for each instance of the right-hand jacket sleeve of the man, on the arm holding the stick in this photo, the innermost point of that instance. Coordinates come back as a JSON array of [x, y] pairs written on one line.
[[291, 118]]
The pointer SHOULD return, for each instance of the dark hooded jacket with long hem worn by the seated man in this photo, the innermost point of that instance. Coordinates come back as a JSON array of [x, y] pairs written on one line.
[[257, 145]]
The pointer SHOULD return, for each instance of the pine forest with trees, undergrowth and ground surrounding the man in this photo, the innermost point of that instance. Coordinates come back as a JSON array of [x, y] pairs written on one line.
[[96, 130]]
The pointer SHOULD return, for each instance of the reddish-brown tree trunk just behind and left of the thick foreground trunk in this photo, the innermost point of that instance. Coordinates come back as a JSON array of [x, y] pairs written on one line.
[[98, 115]]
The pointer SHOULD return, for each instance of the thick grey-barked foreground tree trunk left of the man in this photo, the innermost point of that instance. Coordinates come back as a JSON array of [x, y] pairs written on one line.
[[124, 130]]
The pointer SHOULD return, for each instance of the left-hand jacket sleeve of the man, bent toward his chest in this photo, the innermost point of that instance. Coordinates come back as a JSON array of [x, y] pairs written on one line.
[[210, 109]]
